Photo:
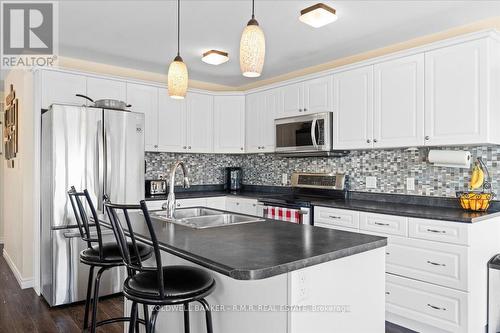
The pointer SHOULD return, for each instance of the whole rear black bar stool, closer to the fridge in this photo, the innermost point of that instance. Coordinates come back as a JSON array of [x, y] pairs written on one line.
[[103, 255]]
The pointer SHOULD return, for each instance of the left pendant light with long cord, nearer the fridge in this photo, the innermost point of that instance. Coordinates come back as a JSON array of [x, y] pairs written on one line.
[[177, 71]]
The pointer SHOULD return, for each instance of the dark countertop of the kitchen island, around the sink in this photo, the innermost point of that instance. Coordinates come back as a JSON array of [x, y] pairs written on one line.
[[258, 250]]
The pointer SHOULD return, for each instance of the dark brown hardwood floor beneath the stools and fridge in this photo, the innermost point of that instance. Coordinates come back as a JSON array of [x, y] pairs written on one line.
[[23, 311]]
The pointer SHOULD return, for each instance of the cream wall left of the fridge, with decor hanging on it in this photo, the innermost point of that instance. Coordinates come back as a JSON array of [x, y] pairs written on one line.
[[18, 193]]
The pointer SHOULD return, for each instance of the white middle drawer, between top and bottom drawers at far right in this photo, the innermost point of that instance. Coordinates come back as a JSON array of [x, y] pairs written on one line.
[[439, 263]]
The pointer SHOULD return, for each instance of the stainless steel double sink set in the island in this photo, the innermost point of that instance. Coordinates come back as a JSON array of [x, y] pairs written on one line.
[[202, 218]]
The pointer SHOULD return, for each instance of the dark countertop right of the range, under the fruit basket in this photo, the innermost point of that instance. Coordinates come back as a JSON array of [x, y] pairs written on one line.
[[408, 210]]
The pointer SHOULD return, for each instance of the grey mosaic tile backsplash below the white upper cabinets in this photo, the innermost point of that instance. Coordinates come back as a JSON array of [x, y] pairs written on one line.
[[391, 167]]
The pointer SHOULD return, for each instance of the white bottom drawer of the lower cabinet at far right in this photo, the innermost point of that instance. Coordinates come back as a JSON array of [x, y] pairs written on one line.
[[444, 308]]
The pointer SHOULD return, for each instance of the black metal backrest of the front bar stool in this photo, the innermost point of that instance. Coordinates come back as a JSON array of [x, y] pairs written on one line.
[[119, 217]]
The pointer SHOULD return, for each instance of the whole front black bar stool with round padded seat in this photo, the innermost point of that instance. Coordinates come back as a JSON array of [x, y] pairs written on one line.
[[161, 285]]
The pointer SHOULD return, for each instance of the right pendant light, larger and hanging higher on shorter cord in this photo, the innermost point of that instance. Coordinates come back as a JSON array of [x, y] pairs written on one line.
[[252, 48]]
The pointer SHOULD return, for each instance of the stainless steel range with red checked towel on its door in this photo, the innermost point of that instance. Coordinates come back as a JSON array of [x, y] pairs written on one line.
[[306, 188]]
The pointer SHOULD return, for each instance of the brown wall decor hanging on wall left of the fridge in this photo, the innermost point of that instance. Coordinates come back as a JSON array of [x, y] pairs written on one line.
[[11, 121]]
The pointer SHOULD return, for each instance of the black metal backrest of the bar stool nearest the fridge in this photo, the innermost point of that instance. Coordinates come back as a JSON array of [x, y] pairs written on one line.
[[82, 219]]
